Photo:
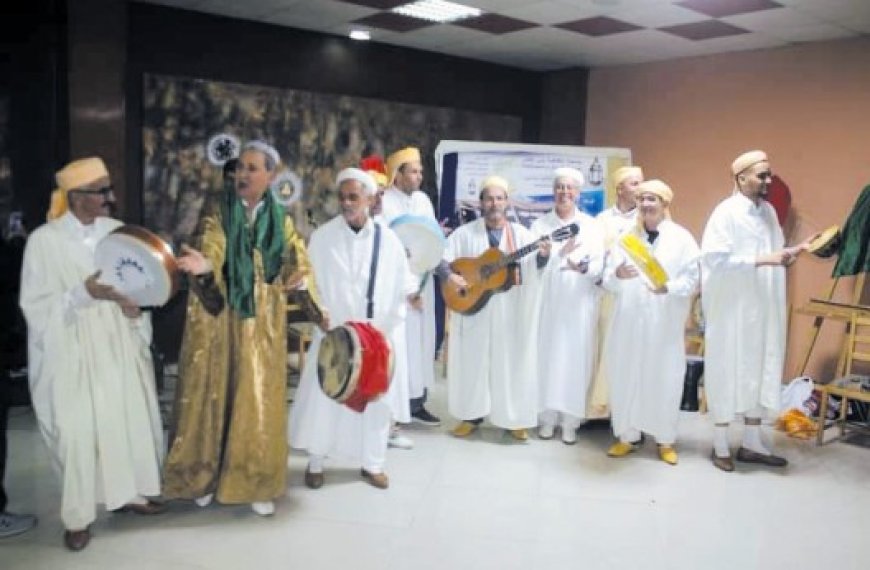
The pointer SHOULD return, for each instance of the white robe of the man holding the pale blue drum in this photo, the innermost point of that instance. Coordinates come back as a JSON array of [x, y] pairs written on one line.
[[419, 325]]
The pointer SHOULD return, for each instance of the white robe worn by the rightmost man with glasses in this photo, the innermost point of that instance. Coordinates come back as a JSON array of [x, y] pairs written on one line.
[[744, 309]]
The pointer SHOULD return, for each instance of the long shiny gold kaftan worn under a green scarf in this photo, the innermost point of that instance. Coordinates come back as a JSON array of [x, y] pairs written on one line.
[[230, 423]]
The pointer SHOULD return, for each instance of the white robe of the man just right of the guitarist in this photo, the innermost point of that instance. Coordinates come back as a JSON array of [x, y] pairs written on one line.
[[568, 317]]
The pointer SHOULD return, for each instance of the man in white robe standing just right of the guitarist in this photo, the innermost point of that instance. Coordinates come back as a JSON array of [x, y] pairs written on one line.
[[568, 311]]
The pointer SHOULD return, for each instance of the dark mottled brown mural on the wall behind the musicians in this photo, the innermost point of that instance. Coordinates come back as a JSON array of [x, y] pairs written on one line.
[[316, 134]]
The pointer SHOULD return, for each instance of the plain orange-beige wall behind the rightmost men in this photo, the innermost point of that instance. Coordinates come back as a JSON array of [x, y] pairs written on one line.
[[808, 106]]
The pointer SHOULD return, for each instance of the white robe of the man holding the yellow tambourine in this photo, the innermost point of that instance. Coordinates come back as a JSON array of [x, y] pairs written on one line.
[[645, 355]]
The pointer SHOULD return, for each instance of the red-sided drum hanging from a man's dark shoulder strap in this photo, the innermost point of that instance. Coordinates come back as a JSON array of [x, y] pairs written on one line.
[[354, 364]]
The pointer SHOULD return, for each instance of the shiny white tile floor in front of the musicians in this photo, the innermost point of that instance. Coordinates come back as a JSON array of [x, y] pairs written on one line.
[[488, 503]]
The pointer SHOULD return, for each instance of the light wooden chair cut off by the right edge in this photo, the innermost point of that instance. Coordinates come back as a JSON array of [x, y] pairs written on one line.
[[851, 385]]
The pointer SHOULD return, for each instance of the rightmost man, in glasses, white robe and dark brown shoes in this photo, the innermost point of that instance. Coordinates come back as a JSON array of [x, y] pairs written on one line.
[[743, 284]]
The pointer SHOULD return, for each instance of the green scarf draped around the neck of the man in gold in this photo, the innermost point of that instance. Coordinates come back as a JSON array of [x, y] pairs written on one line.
[[265, 234]]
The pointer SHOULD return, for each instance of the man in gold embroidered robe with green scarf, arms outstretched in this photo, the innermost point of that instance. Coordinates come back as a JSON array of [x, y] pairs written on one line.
[[228, 436]]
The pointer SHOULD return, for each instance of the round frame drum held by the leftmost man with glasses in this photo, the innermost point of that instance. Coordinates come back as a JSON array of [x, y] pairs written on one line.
[[138, 264]]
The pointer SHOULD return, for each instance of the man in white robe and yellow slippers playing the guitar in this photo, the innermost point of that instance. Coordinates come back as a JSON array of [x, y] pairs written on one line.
[[491, 353]]
